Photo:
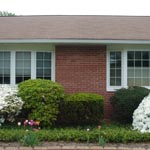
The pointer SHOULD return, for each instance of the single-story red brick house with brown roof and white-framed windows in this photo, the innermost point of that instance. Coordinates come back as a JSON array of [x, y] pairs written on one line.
[[97, 54]]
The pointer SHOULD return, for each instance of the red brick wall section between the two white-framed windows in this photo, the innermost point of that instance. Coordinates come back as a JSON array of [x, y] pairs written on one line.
[[83, 69]]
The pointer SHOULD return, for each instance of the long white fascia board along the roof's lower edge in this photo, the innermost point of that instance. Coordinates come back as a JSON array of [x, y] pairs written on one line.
[[76, 41]]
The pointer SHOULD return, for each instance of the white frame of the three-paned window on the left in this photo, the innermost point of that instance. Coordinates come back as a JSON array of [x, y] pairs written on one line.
[[33, 64]]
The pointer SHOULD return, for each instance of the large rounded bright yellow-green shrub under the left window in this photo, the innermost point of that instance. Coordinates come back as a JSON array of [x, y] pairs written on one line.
[[41, 99]]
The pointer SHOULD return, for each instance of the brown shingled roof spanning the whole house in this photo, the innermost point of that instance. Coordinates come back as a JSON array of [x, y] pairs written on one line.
[[75, 27]]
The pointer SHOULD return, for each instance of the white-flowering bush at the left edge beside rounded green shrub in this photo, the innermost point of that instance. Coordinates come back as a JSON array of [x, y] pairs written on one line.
[[10, 103]]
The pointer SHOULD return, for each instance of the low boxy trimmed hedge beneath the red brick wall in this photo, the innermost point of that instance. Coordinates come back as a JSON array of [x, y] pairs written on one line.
[[81, 108]]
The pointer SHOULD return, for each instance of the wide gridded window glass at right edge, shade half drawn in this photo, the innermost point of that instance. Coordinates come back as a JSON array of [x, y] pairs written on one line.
[[138, 75]]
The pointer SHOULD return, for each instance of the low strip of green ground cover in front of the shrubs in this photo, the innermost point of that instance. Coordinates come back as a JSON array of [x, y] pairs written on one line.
[[112, 133]]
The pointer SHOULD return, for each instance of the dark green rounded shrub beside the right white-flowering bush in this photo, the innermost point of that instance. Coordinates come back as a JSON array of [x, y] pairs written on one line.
[[125, 101]]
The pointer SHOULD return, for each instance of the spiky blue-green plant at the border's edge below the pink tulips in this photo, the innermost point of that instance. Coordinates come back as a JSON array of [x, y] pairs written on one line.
[[30, 139]]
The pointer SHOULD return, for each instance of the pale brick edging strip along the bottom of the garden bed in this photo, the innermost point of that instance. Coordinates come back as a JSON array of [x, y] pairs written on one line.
[[71, 148]]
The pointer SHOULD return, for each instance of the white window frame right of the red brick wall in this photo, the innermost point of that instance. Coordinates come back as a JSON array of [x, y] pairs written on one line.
[[124, 67]]
